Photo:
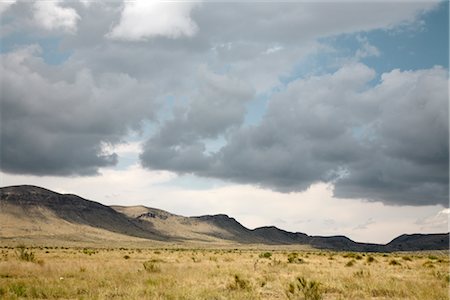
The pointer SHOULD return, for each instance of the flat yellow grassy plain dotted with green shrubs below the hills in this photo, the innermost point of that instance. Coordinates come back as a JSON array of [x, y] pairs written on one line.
[[88, 273]]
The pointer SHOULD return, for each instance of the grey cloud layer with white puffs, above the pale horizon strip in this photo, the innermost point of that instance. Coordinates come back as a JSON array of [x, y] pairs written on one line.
[[190, 76]]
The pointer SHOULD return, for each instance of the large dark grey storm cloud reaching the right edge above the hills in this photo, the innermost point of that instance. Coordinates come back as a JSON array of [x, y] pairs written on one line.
[[386, 143]]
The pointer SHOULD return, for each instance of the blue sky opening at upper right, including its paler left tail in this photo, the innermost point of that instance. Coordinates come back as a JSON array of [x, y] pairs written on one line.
[[421, 45]]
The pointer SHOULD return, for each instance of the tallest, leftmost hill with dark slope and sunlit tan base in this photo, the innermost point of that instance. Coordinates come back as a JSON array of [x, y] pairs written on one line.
[[33, 208]]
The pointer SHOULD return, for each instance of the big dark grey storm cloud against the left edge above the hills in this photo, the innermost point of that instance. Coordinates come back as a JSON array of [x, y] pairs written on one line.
[[54, 126]]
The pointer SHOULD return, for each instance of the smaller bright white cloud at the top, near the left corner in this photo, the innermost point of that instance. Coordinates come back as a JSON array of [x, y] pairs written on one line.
[[50, 15]]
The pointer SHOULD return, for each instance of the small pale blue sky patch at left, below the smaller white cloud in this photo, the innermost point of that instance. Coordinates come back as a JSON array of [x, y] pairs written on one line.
[[52, 53]]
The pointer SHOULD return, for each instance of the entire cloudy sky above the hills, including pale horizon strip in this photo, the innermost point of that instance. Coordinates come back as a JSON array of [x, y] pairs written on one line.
[[319, 117]]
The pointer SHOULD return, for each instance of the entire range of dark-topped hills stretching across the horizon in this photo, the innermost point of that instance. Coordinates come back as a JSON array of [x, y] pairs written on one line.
[[30, 211]]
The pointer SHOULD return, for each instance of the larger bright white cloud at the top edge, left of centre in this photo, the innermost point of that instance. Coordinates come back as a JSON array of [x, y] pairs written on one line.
[[142, 20]]
